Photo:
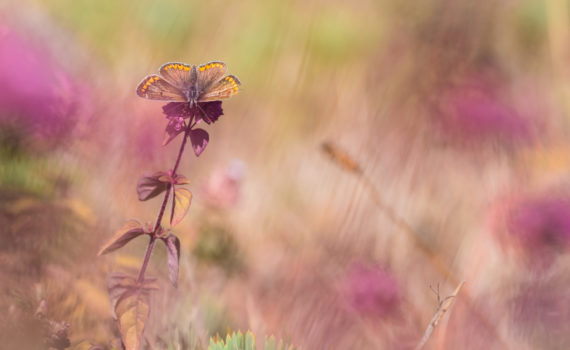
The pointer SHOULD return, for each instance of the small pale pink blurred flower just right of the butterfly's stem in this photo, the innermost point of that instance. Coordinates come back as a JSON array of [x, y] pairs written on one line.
[[222, 190]]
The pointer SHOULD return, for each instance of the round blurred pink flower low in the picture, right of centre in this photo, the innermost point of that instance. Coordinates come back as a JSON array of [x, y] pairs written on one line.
[[371, 290]]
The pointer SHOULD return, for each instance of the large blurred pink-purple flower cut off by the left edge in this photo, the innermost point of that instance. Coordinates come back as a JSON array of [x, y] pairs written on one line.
[[35, 94]]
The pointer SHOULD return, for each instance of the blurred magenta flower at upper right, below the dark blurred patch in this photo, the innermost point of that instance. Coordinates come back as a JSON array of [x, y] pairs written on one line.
[[473, 112]]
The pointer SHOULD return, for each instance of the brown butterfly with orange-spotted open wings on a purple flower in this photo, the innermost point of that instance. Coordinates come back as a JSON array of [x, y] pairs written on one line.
[[189, 83]]
